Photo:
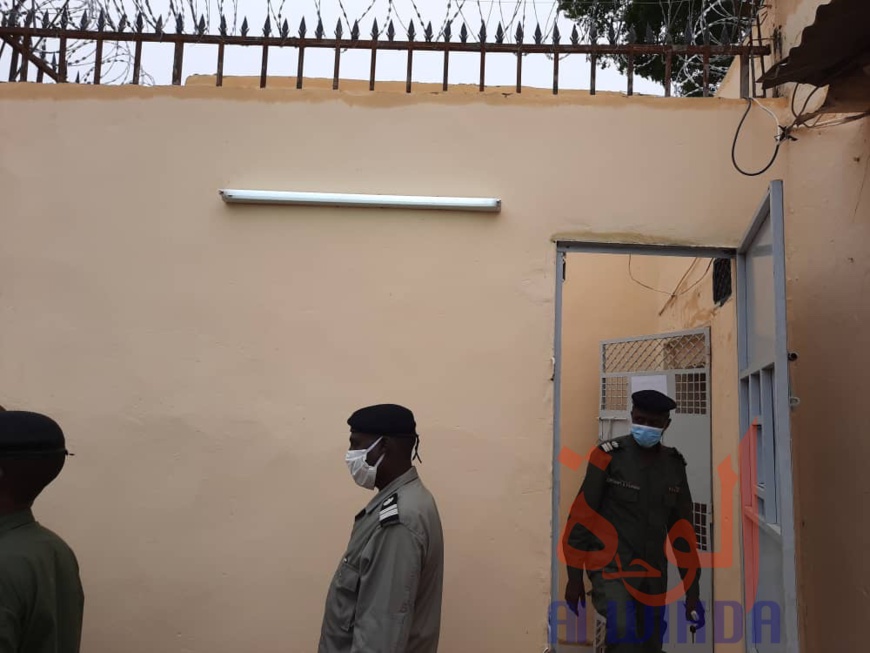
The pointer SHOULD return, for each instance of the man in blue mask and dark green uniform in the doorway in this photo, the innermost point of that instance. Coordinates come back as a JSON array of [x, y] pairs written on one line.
[[634, 497]]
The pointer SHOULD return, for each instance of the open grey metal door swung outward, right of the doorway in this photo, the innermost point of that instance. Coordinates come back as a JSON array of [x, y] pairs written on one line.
[[765, 447]]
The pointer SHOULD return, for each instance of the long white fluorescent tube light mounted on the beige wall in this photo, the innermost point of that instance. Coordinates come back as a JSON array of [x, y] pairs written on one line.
[[485, 204]]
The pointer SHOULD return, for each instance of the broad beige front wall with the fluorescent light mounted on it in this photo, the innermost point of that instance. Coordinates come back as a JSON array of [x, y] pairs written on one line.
[[203, 359]]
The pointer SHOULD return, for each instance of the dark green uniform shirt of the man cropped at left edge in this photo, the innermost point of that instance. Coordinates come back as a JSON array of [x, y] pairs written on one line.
[[41, 598]]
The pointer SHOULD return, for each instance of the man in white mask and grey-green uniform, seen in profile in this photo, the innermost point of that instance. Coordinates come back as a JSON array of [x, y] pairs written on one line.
[[385, 596]]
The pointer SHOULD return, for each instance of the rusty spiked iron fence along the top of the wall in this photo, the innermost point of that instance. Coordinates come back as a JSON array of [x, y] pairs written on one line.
[[27, 33]]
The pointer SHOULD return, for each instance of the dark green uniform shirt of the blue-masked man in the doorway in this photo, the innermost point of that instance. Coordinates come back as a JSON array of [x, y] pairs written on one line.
[[642, 494]]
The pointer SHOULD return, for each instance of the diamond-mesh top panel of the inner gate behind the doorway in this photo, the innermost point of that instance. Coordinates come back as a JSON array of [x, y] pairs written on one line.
[[656, 354]]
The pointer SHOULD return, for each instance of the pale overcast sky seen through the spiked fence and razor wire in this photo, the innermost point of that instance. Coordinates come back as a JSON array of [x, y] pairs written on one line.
[[391, 66]]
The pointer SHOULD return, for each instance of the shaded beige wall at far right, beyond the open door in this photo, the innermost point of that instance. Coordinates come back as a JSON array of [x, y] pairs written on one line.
[[827, 199]]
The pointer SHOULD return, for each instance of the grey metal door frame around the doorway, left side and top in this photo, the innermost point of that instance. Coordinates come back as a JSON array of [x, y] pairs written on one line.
[[563, 248]]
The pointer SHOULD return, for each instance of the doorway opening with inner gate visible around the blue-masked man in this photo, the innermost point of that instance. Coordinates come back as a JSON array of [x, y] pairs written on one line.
[[630, 318]]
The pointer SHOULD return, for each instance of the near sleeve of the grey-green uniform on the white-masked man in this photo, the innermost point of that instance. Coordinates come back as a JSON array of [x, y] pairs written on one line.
[[389, 575]]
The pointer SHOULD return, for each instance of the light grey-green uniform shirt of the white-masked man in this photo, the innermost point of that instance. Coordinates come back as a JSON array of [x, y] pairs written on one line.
[[385, 596]]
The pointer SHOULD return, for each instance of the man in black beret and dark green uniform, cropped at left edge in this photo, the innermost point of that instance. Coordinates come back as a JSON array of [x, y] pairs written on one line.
[[41, 598]]
